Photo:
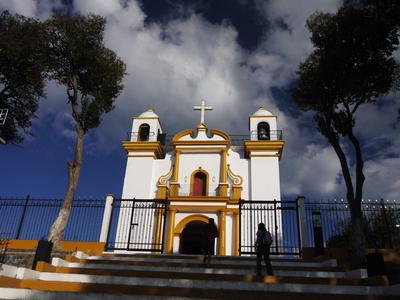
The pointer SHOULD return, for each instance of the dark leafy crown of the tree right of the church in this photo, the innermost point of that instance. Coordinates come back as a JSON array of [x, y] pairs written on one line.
[[351, 64]]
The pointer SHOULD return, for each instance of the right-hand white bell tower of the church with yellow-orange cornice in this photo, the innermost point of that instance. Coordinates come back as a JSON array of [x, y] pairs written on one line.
[[264, 150]]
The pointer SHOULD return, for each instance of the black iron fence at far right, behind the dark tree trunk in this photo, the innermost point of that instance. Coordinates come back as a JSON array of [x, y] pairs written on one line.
[[381, 222]]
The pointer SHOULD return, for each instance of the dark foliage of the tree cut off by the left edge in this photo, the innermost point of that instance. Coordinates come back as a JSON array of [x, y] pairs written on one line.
[[22, 72]]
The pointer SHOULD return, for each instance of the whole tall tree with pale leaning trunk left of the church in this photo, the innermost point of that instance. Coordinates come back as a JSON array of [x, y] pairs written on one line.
[[92, 76]]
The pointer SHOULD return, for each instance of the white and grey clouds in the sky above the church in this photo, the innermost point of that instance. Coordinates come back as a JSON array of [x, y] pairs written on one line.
[[171, 67]]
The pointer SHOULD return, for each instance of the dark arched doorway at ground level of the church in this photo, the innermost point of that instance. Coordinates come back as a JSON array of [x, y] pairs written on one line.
[[192, 238]]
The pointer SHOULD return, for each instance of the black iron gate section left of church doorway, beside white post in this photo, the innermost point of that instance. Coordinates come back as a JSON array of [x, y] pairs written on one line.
[[137, 225]]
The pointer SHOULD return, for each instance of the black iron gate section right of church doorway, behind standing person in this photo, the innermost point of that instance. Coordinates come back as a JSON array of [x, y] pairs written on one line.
[[280, 218]]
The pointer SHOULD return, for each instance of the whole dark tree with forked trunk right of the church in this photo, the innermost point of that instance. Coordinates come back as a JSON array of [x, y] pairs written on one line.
[[352, 64]]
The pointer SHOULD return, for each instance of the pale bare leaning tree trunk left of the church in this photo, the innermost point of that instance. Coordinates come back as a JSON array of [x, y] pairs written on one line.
[[74, 169]]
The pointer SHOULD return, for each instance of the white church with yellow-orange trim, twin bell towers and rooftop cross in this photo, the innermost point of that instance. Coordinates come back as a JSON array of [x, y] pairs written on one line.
[[203, 175]]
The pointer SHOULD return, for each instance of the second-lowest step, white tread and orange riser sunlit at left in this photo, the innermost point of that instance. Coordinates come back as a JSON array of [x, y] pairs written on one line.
[[189, 287]]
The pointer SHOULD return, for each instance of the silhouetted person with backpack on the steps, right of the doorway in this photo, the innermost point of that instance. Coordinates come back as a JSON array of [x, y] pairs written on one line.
[[263, 243]]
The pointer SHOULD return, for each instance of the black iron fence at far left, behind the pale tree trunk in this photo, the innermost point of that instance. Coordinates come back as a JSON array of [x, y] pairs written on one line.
[[30, 219]]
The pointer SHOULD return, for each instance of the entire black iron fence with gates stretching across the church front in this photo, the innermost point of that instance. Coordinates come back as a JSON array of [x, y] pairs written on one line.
[[133, 222]]
